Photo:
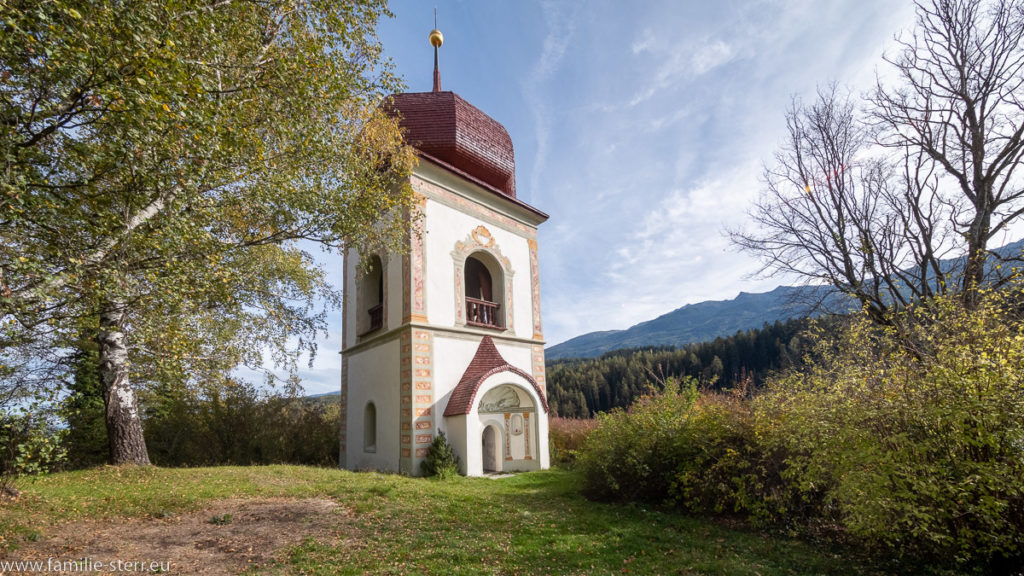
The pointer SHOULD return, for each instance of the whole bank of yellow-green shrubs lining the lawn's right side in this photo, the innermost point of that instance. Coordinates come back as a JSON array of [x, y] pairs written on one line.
[[909, 438]]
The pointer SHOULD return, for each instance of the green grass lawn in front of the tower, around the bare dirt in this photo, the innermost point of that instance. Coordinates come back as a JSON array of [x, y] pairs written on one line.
[[529, 524]]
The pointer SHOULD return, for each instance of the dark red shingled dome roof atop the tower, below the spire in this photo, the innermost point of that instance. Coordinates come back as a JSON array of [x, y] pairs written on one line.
[[447, 128]]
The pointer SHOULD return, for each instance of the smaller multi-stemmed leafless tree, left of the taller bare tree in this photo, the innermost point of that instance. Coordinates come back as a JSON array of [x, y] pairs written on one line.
[[834, 213]]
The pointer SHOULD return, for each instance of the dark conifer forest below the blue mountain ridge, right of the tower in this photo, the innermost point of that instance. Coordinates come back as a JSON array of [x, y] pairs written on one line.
[[582, 388]]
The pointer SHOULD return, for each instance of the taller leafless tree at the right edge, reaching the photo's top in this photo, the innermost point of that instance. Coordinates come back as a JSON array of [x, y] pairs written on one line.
[[958, 104]]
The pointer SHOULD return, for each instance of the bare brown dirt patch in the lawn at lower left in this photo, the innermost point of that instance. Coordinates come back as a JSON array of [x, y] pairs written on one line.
[[227, 538]]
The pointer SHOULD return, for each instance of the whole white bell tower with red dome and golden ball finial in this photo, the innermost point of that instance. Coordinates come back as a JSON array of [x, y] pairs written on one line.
[[447, 338]]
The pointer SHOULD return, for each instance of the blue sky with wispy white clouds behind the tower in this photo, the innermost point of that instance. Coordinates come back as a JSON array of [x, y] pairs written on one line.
[[641, 128]]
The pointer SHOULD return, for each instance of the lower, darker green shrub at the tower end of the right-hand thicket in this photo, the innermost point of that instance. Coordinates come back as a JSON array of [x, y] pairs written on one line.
[[675, 447]]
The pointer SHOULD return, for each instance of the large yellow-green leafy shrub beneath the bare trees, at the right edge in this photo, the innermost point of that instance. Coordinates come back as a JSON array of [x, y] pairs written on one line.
[[913, 437]]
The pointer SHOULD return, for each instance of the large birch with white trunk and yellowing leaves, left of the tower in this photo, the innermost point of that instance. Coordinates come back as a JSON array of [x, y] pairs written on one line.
[[162, 159]]
